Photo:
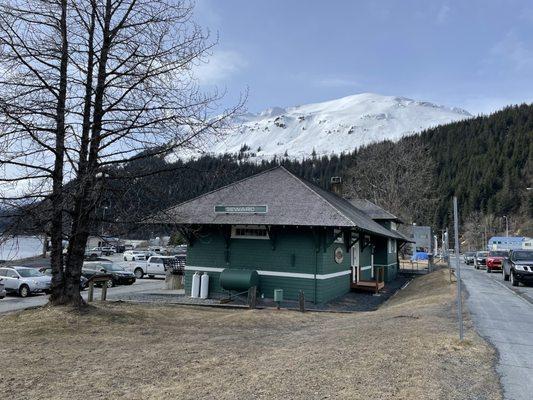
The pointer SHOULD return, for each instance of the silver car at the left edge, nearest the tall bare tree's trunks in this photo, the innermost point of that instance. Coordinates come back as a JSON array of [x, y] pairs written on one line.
[[24, 280]]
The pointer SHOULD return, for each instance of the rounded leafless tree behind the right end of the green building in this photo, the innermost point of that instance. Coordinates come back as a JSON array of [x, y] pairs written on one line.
[[397, 176]]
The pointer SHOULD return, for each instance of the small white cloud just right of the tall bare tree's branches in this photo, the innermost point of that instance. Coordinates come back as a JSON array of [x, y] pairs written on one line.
[[220, 67]]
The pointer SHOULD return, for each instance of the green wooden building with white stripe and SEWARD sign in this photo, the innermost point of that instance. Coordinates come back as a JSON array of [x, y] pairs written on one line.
[[296, 235]]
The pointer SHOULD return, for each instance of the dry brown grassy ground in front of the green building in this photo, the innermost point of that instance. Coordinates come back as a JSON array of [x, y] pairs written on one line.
[[408, 349]]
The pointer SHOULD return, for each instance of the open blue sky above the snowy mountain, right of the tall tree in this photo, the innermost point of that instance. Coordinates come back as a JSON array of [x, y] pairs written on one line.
[[472, 54]]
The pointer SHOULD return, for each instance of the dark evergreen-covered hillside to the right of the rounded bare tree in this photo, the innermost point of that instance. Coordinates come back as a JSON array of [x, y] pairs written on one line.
[[487, 162]]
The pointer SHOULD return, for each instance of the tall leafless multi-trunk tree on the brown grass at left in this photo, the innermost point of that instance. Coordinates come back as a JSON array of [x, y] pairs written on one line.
[[112, 84]]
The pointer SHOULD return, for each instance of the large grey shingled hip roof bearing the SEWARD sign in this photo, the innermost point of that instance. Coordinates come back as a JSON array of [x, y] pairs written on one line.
[[289, 200]]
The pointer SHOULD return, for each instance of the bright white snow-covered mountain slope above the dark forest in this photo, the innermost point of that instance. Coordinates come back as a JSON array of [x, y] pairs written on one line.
[[333, 127]]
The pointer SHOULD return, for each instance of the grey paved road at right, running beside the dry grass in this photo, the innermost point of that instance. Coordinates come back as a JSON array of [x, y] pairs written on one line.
[[505, 318]]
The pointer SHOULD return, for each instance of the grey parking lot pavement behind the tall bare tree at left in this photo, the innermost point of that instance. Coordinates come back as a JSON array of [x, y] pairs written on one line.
[[15, 303]]
